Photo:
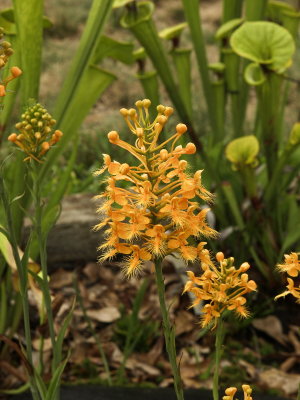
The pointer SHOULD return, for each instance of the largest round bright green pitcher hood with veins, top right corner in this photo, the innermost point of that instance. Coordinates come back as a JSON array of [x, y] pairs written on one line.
[[264, 43]]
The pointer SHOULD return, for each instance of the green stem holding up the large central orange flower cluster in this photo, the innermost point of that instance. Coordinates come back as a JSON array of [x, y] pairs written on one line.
[[169, 332]]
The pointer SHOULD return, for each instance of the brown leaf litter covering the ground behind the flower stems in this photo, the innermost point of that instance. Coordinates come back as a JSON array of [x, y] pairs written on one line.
[[108, 298]]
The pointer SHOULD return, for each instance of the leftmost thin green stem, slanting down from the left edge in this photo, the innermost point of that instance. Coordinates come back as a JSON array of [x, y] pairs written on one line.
[[22, 272]]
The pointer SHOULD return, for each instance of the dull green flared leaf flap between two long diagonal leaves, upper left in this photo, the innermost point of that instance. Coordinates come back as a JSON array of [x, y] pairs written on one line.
[[109, 47]]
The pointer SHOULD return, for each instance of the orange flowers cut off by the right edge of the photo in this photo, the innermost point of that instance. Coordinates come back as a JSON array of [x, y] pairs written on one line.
[[291, 266]]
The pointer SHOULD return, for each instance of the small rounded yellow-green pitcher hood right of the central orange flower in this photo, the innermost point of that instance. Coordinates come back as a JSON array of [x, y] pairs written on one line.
[[243, 150]]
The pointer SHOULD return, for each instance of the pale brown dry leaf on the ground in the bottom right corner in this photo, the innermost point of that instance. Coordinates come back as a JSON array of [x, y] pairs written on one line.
[[275, 379]]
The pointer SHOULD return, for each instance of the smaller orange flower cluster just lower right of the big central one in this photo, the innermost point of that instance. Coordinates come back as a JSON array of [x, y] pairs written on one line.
[[223, 287]]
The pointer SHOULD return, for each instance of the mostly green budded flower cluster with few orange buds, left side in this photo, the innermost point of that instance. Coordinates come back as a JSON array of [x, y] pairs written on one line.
[[36, 133]]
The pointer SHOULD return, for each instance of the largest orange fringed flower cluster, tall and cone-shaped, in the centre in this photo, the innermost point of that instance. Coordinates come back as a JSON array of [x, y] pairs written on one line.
[[151, 209]]
